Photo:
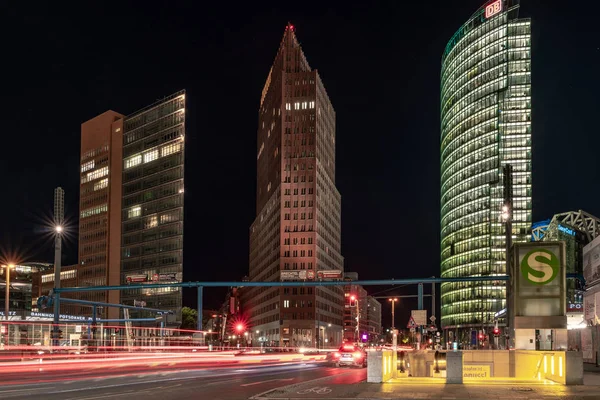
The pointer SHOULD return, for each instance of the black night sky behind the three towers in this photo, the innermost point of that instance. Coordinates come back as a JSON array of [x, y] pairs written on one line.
[[380, 63]]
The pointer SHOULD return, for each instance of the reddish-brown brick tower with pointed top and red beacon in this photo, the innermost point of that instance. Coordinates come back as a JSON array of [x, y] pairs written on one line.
[[297, 228]]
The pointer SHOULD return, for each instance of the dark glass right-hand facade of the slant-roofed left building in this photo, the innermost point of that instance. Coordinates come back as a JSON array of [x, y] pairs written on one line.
[[152, 204]]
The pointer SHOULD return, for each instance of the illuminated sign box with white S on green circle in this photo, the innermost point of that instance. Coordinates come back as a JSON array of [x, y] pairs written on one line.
[[539, 279]]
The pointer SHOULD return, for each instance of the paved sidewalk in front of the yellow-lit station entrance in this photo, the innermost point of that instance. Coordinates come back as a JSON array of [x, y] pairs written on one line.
[[337, 388]]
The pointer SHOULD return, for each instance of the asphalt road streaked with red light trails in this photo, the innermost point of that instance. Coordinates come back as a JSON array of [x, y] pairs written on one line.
[[163, 382]]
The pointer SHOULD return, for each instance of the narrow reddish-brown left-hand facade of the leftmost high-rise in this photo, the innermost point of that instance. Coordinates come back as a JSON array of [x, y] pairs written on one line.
[[100, 210]]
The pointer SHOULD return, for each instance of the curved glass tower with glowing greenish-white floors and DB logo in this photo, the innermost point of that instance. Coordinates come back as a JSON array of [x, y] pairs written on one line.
[[485, 125]]
